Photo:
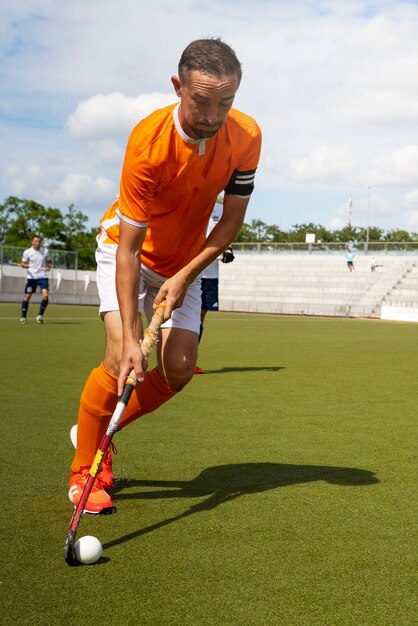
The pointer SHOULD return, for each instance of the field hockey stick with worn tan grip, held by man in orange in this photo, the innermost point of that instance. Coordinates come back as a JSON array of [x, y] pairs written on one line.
[[149, 341]]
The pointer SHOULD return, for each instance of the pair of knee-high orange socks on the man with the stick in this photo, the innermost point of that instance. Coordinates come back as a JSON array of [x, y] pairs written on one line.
[[98, 401]]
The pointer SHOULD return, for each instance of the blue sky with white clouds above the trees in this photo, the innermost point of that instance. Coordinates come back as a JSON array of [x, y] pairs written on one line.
[[332, 83]]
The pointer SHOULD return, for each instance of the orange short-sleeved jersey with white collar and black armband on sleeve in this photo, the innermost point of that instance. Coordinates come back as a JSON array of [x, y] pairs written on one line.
[[170, 184]]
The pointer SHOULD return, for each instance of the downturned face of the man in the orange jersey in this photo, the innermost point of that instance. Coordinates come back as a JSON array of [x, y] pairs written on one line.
[[205, 102]]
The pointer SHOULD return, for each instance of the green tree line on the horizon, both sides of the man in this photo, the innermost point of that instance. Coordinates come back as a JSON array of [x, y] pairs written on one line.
[[20, 219]]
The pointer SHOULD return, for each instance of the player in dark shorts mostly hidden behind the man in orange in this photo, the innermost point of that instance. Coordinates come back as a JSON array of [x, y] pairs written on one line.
[[210, 275]]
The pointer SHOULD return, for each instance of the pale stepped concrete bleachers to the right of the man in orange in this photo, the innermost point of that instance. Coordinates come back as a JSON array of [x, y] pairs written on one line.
[[305, 284]]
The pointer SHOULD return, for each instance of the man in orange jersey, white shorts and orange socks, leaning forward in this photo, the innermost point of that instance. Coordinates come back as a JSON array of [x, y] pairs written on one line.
[[152, 244]]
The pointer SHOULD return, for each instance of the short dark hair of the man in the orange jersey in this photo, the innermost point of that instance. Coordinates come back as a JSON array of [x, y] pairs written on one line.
[[211, 56]]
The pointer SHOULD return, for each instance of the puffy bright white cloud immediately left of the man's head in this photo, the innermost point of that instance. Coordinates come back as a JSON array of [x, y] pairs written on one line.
[[114, 114]]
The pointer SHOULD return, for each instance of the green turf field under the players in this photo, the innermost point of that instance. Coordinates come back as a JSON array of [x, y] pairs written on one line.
[[278, 488]]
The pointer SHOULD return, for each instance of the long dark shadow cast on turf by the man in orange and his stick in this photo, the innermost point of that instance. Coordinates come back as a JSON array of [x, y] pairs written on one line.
[[224, 483]]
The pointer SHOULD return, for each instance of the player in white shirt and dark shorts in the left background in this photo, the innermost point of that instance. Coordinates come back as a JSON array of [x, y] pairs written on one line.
[[38, 262]]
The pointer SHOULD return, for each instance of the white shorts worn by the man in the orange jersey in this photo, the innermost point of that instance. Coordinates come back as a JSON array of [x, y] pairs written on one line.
[[186, 317]]
